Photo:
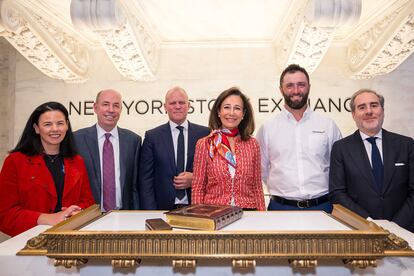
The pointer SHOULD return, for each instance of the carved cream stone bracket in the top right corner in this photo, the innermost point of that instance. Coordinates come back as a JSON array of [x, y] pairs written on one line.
[[385, 45]]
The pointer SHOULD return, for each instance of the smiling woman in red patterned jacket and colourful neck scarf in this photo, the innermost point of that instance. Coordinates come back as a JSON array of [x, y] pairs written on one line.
[[227, 162]]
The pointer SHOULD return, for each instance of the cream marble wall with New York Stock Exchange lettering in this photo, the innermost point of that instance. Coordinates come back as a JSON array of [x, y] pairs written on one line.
[[204, 73]]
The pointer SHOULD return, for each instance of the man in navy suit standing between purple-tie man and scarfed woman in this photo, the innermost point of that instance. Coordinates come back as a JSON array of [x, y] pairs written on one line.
[[163, 186]]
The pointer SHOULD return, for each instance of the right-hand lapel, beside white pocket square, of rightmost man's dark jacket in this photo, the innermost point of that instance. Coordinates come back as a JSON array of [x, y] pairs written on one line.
[[388, 156]]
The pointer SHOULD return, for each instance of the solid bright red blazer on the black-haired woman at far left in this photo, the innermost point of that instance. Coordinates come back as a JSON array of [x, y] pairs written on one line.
[[27, 190]]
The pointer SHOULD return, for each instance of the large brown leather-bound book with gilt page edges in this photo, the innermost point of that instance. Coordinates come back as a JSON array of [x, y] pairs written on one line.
[[203, 216]]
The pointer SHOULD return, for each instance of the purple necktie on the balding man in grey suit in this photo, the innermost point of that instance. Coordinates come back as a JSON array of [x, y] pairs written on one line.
[[108, 172]]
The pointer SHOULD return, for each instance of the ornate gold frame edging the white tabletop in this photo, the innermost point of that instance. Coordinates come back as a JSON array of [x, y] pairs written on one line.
[[360, 247]]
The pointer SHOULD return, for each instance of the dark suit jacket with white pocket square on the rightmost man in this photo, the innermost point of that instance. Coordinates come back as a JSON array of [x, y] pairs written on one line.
[[352, 184]]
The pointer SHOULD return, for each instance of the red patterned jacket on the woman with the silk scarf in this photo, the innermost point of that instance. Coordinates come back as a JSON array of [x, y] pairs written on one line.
[[212, 181]]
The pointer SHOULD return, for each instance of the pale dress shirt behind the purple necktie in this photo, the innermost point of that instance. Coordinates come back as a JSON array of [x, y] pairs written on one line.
[[115, 143]]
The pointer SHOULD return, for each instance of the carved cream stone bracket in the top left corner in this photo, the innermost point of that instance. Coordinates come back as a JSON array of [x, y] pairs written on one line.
[[49, 48]]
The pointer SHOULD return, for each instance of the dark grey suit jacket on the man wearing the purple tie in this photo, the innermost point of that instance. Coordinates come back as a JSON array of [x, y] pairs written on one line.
[[86, 140]]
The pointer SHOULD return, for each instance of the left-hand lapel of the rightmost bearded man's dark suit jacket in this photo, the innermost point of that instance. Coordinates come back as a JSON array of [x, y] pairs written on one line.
[[360, 157]]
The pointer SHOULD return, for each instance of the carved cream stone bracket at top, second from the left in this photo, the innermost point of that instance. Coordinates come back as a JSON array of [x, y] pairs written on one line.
[[128, 44]]
